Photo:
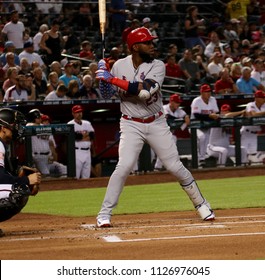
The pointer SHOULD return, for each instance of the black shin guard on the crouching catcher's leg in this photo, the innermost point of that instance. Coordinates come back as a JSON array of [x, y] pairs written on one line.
[[12, 205]]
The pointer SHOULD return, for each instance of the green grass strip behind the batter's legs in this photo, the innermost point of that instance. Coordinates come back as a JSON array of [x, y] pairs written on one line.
[[226, 193]]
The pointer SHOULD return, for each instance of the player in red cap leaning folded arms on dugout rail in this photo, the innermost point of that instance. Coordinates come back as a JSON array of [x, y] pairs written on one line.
[[204, 107]]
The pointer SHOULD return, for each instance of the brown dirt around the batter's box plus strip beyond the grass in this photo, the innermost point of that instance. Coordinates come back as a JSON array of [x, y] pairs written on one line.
[[236, 233]]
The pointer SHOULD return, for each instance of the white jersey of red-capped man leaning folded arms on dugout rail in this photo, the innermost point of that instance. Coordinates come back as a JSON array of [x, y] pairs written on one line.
[[200, 107]]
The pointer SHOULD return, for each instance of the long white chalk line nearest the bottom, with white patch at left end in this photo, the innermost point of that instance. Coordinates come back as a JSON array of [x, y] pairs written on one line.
[[115, 238]]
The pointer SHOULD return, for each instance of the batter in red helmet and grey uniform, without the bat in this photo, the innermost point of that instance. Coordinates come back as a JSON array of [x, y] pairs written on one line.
[[138, 79]]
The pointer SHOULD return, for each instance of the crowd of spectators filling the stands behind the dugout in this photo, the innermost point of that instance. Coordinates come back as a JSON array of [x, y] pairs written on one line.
[[38, 35]]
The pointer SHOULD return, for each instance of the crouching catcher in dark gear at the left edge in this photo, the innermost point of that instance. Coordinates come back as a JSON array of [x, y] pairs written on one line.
[[14, 190]]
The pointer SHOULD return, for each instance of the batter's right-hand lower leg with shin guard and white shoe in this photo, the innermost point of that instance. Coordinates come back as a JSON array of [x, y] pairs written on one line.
[[199, 202]]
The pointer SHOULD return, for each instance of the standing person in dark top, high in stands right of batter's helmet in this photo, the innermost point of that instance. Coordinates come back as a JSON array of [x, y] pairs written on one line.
[[191, 24]]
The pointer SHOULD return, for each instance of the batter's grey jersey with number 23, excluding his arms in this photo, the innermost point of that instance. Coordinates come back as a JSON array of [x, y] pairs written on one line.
[[133, 106]]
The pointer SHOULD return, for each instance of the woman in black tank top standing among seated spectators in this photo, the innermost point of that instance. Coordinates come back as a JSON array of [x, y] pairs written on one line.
[[52, 43]]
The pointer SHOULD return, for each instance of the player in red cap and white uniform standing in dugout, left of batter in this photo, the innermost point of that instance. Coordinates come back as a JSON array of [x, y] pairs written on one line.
[[84, 134]]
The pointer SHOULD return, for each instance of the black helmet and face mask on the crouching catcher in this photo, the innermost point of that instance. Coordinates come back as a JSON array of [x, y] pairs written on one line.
[[13, 120]]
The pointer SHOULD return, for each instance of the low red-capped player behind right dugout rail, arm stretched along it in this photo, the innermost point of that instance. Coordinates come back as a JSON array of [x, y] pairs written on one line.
[[219, 140]]
